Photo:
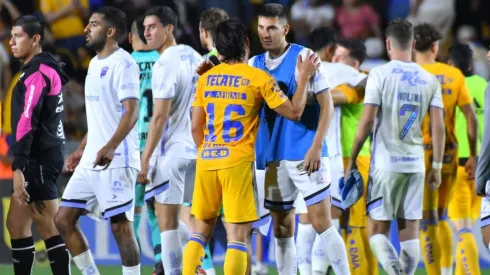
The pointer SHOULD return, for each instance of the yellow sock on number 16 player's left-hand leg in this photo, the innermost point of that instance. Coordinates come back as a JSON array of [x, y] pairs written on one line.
[[194, 254]]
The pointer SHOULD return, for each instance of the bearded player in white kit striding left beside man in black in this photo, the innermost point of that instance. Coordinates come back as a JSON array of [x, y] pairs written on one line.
[[108, 159]]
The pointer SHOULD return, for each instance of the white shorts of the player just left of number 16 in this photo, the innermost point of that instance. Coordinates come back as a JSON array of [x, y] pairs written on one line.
[[173, 180]]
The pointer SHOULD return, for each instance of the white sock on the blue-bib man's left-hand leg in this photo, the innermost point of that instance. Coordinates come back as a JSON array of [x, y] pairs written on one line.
[[286, 256]]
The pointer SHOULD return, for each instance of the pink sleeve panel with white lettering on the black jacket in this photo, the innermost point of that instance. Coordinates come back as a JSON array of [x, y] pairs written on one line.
[[35, 84]]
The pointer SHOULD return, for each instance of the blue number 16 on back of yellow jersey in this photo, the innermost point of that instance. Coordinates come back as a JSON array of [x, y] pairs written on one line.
[[228, 123]]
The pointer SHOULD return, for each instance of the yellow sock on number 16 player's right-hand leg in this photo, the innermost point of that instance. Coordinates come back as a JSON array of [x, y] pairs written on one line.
[[236, 259]]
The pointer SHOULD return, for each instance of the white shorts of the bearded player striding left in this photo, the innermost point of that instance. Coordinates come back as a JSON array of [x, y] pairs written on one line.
[[103, 194]]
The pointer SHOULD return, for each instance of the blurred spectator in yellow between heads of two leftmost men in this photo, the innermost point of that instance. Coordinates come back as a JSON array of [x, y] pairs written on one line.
[[66, 21]]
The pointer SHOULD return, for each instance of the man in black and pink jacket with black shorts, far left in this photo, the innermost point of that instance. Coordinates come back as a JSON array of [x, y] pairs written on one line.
[[37, 127]]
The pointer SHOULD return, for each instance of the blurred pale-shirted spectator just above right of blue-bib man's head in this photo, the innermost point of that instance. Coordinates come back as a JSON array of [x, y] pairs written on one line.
[[307, 15]]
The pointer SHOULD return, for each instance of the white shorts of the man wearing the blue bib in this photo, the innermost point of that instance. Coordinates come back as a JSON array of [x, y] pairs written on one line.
[[286, 179]]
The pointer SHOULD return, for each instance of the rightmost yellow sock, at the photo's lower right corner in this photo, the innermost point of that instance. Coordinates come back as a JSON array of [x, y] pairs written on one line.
[[466, 254]]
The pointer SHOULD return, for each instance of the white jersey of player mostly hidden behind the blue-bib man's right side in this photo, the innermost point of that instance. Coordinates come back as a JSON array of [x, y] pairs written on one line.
[[338, 74]]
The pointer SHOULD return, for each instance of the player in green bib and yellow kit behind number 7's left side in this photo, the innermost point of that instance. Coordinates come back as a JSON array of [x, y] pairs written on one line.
[[353, 53]]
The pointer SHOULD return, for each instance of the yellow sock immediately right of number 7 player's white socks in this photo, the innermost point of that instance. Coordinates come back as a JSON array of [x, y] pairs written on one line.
[[430, 248]]
